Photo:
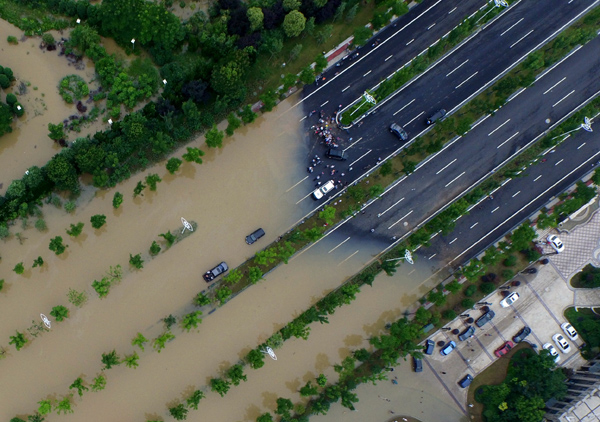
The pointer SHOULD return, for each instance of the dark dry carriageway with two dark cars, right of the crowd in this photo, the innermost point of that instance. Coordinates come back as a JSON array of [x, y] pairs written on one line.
[[448, 84]]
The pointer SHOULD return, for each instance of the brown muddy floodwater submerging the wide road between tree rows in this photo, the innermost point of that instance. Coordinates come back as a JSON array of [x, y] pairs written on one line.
[[239, 188]]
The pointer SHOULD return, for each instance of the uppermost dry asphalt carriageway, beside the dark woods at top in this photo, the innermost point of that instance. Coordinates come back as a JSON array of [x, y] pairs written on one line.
[[374, 63]]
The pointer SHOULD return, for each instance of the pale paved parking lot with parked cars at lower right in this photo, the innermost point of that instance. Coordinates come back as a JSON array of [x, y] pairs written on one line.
[[543, 298]]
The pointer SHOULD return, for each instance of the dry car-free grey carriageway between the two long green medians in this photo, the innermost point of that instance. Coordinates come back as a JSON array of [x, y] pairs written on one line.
[[465, 161]]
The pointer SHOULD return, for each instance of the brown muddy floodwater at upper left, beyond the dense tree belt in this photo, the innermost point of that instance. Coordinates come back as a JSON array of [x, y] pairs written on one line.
[[40, 71]]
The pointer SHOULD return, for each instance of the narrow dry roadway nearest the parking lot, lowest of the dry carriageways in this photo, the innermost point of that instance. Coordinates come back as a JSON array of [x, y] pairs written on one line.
[[517, 199]]
